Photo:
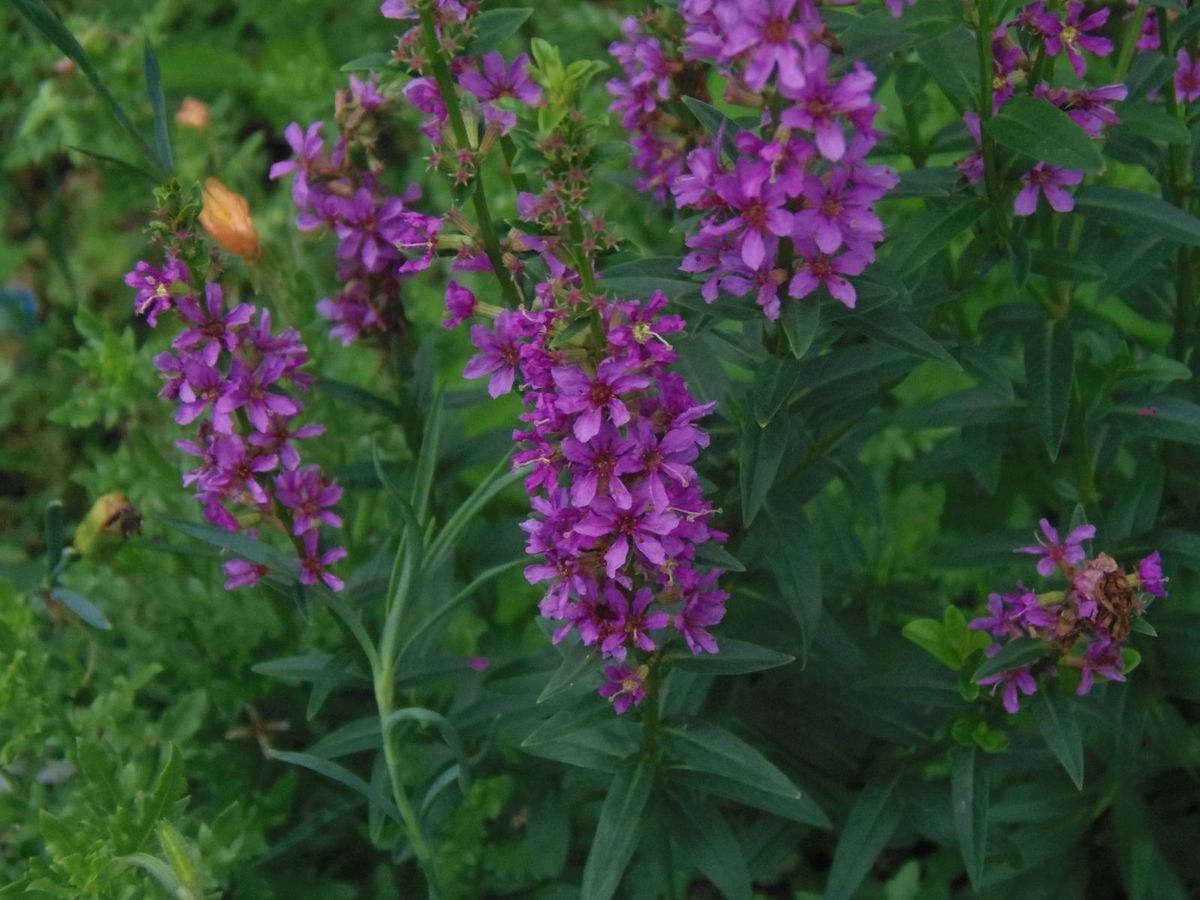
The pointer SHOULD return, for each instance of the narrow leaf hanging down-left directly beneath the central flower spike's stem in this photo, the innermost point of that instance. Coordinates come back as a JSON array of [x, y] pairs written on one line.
[[619, 831]]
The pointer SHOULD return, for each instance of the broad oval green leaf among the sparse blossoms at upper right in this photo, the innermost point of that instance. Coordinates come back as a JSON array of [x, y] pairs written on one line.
[[1043, 133]]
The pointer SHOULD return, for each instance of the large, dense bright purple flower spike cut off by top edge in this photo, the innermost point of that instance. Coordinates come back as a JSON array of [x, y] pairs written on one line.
[[794, 211]]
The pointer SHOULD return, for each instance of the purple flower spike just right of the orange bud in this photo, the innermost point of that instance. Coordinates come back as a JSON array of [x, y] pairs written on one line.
[[381, 239]]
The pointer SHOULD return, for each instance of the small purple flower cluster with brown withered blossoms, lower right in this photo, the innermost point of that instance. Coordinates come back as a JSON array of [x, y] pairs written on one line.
[[1087, 625]]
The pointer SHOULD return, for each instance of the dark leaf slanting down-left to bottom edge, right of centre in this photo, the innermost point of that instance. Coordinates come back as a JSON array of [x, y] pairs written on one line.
[[871, 826]]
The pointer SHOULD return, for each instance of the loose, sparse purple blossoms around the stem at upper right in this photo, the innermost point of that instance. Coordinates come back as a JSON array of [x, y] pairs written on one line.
[[1054, 35]]
